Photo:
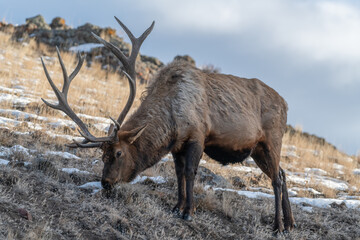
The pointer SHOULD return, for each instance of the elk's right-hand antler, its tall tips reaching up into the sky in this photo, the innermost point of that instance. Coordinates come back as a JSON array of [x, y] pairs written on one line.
[[128, 62]]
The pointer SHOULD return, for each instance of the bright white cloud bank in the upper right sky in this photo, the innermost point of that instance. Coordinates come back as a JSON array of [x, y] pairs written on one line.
[[316, 32]]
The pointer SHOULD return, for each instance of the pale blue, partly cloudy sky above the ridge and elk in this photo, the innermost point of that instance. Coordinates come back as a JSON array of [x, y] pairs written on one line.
[[307, 50]]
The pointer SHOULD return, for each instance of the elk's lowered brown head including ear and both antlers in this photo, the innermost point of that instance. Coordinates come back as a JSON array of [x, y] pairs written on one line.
[[118, 147]]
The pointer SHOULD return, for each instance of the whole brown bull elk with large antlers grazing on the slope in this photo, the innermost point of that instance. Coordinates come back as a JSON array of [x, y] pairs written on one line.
[[187, 111]]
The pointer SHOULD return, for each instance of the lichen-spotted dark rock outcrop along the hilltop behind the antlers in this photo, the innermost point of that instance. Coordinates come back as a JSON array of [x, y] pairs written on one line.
[[61, 35]]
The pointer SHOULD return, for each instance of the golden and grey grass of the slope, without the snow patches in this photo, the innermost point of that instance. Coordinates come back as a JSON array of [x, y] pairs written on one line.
[[60, 210]]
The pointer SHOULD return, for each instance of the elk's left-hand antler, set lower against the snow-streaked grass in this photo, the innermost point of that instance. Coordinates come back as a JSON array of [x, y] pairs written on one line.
[[64, 106]]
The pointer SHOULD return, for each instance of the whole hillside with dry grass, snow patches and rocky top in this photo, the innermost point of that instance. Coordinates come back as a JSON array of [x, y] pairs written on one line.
[[48, 191]]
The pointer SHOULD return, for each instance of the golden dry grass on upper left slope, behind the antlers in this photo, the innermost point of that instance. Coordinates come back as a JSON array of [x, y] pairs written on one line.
[[93, 92]]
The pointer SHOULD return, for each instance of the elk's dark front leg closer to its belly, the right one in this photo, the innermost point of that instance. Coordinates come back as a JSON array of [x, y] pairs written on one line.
[[193, 153]]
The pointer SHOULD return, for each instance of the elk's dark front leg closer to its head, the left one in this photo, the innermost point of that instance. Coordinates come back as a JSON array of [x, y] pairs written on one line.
[[179, 160]]
